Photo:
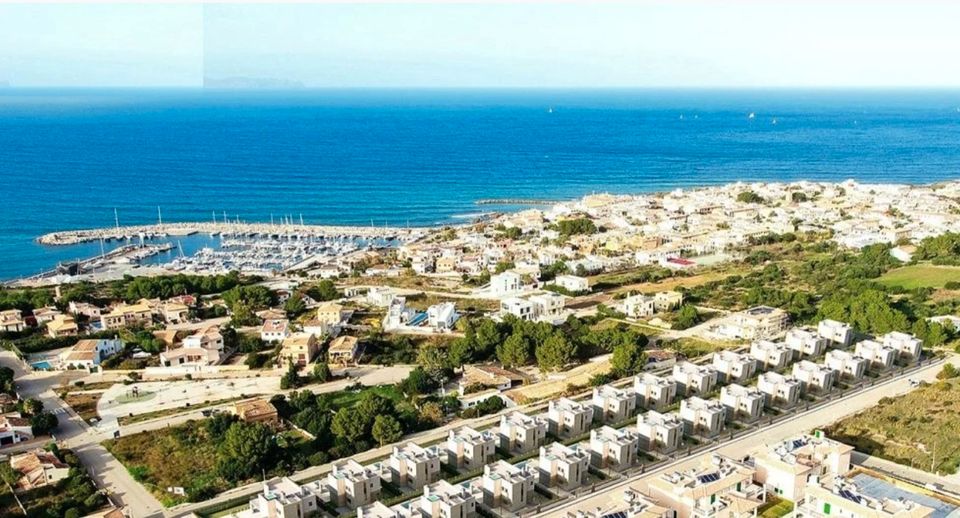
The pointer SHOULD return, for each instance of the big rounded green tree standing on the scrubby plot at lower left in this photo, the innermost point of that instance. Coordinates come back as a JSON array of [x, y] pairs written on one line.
[[246, 450]]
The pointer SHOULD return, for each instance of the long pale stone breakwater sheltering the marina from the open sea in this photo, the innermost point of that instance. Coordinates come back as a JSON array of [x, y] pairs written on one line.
[[72, 237]]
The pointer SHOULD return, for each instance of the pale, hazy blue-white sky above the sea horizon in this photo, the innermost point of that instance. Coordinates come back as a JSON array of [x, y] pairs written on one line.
[[644, 43]]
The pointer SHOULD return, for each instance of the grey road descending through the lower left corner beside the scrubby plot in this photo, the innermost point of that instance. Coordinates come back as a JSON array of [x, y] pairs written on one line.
[[108, 473]]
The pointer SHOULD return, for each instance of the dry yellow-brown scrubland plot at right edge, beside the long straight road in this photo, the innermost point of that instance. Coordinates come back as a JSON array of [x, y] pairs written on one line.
[[919, 429]]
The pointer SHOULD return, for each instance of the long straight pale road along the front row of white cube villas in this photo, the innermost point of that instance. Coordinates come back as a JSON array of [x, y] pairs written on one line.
[[612, 497]]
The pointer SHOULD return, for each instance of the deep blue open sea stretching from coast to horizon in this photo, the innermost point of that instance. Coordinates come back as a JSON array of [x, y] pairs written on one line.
[[70, 158]]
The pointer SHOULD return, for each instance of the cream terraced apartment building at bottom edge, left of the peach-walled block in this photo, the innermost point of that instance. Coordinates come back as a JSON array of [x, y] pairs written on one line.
[[720, 488]]
